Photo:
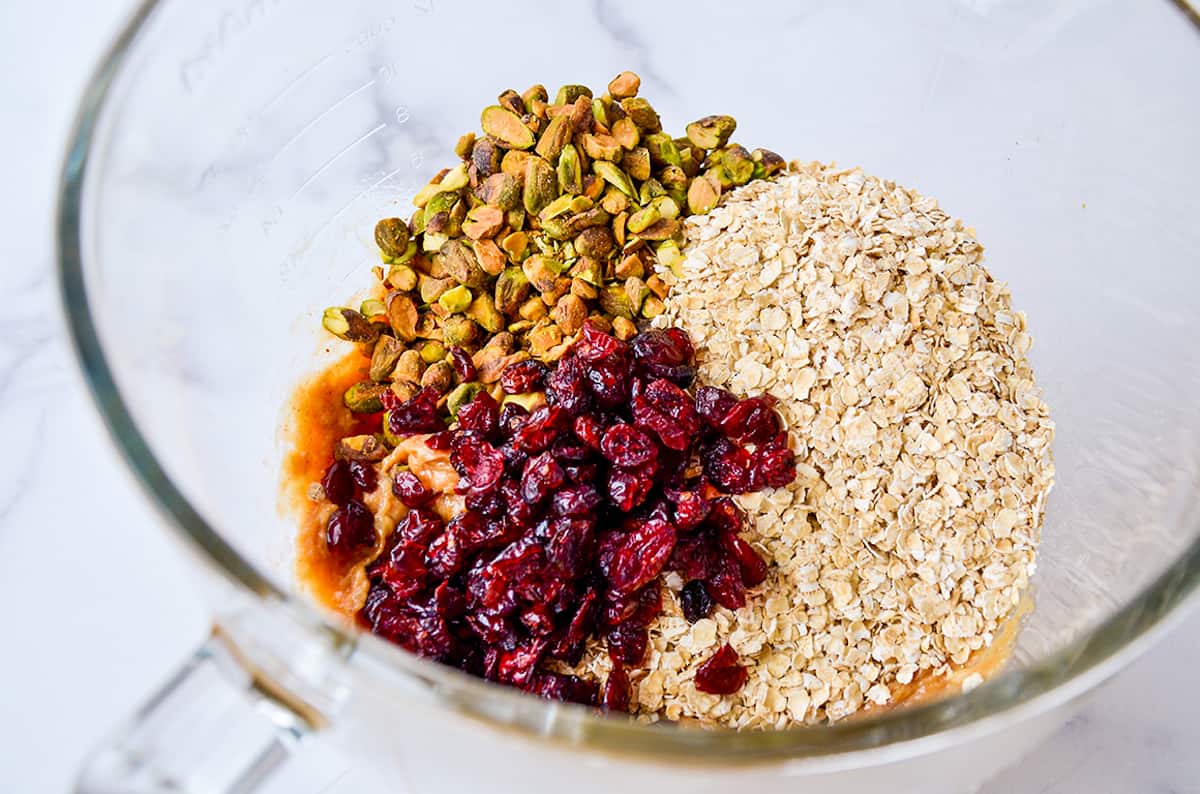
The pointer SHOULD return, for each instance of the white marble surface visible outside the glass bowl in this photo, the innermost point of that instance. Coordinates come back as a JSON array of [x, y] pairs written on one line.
[[98, 604]]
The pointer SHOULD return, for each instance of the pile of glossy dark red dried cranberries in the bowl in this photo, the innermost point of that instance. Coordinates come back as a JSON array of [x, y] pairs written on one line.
[[574, 512]]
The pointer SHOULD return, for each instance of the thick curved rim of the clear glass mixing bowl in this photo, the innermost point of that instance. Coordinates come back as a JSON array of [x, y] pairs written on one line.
[[1006, 699]]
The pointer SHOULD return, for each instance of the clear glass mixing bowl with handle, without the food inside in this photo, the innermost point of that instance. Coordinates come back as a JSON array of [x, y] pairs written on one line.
[[220, 190]]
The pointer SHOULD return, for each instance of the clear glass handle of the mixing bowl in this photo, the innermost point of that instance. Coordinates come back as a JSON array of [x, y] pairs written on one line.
[[227, 719]]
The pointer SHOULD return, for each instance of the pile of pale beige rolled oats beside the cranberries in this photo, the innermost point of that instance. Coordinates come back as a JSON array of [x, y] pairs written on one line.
[[925, 447]]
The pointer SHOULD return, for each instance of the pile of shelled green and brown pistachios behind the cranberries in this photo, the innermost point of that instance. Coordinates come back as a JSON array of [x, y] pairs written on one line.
[[557, 213]]
